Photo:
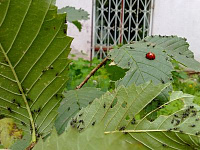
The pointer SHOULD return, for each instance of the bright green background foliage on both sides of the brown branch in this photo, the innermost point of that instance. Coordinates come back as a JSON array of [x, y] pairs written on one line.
[[79, 69]]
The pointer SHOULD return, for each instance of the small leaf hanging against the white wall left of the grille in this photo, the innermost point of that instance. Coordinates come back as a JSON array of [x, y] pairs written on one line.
[[74, 15]]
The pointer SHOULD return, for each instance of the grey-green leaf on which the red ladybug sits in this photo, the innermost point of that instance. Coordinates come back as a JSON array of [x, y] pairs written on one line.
[[141, 69]]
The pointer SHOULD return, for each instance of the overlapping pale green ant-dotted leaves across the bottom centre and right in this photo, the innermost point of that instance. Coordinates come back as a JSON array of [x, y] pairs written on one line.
[[175, 131]]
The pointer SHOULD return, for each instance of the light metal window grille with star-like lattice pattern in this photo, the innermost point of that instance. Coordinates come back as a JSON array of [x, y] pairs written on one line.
[[119, 22]]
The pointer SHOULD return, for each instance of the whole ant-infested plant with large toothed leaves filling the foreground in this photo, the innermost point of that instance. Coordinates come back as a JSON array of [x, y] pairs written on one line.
[[34, 72]]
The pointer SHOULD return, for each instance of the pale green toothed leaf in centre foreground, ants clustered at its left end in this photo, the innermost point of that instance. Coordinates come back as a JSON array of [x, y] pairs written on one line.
[[117, 109]]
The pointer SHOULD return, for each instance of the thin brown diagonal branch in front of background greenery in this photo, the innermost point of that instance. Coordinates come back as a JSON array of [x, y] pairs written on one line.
[[92, 72]]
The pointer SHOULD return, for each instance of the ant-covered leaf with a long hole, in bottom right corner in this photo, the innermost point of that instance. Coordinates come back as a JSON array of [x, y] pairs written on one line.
[[177, 131]]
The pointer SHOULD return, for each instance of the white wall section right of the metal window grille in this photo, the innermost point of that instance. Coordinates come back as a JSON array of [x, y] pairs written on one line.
[[179, 17]]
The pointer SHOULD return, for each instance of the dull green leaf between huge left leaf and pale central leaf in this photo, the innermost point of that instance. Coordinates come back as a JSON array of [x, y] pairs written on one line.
[[72, 103]]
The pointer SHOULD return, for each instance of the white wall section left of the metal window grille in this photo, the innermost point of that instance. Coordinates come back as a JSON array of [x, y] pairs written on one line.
[[82, 40]]
